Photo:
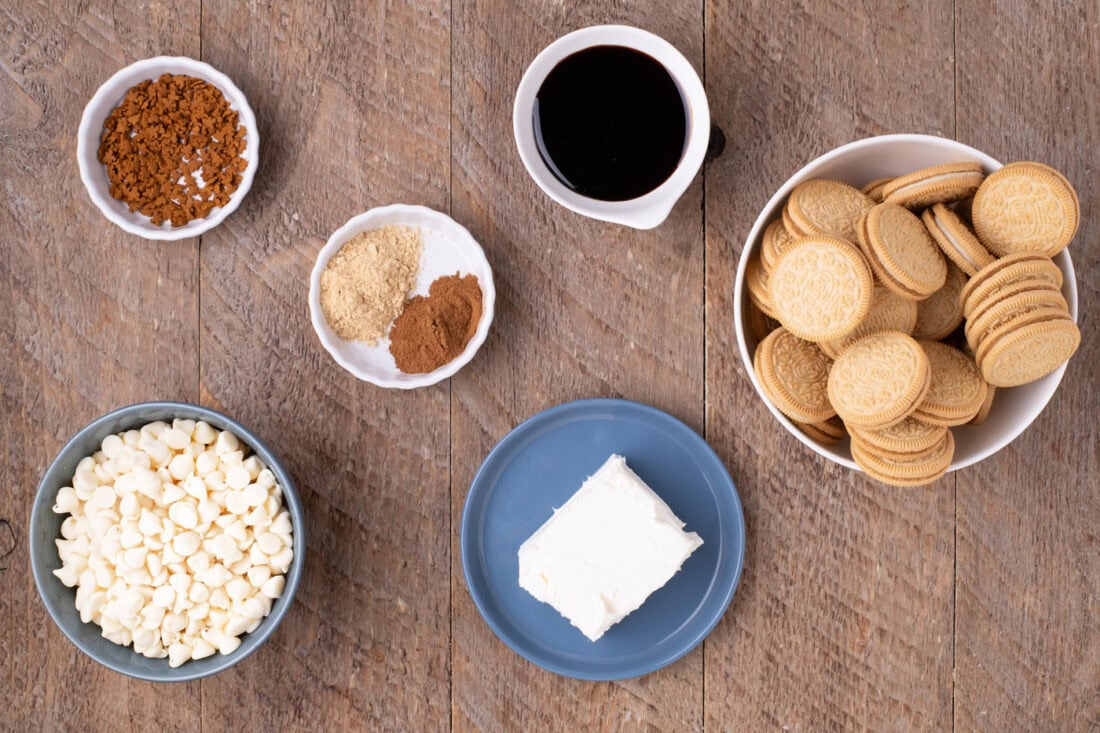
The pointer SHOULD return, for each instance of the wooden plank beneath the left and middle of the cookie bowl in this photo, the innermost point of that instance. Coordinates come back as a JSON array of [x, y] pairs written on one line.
[[844, 616]]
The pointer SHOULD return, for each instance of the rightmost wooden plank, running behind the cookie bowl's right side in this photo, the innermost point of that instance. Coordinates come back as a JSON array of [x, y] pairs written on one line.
[[1028, 651]]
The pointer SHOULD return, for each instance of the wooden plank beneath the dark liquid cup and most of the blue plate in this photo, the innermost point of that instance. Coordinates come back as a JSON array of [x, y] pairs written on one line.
[[584, 310]]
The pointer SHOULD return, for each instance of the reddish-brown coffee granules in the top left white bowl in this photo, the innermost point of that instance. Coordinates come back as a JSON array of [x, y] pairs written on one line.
[[160, 136]]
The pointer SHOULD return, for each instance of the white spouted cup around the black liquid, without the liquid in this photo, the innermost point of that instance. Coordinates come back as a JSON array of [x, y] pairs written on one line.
[[653, 209]]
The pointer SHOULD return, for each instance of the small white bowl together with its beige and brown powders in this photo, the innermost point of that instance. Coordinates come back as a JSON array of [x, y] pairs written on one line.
[[402, 297]]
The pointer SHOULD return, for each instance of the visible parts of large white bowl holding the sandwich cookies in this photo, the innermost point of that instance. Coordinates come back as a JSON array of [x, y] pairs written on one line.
[[857, 165]]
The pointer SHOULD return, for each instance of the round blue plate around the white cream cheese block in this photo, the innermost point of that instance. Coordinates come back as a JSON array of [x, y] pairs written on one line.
[[537, 468]]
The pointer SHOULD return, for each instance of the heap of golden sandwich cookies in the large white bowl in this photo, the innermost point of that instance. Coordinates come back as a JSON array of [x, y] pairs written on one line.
[[857, 298]]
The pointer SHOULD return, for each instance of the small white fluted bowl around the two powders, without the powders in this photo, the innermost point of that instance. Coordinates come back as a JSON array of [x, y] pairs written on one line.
[[448, 249]]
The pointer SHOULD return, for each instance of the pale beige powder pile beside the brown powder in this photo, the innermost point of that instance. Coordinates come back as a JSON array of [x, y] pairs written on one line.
[[365, 286]]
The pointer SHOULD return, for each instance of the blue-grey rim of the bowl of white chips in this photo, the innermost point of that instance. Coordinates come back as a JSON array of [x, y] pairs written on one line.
[[291, 500]]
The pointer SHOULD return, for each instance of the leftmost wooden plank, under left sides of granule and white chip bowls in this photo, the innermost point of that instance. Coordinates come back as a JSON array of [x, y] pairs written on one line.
[[94, 320]]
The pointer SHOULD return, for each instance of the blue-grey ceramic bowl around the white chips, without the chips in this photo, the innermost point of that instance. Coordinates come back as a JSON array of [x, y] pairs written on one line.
[[46, 528]]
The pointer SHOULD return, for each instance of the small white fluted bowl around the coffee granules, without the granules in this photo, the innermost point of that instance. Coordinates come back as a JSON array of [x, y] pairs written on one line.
[[94, 174]]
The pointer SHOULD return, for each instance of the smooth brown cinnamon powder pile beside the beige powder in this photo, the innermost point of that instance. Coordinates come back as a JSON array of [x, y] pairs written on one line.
[[433, 331]]
